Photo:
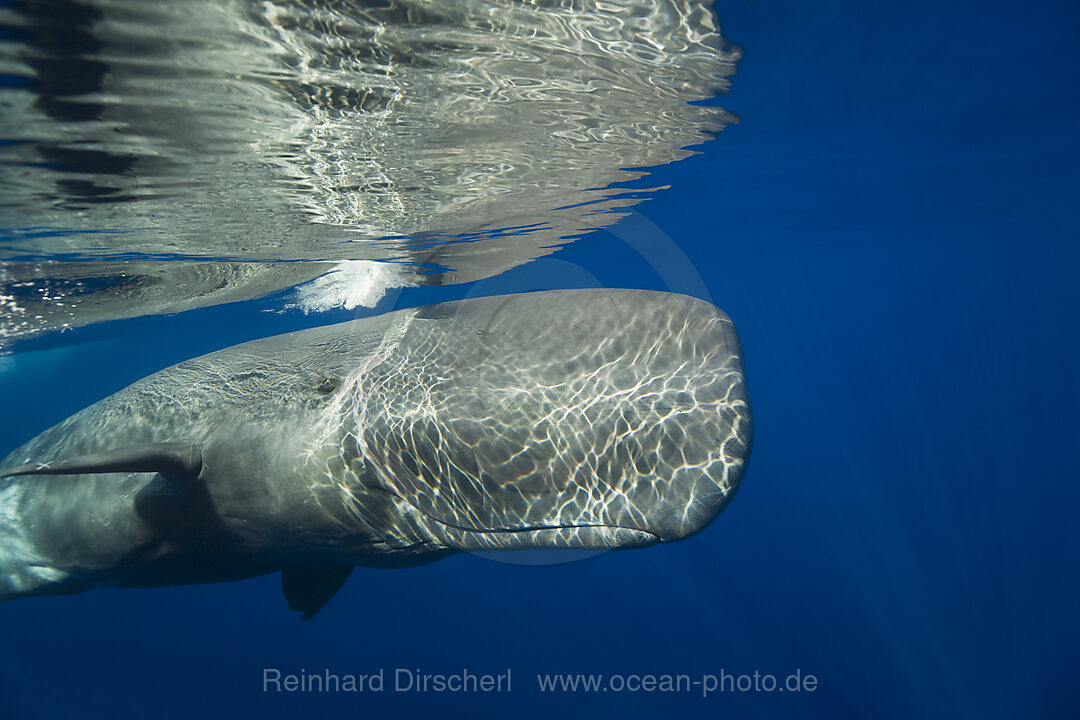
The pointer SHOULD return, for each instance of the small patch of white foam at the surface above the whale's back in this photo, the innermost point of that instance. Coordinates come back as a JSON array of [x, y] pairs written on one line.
[[354, 283]]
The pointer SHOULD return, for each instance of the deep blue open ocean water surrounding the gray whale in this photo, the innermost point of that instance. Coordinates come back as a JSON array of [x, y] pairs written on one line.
[[893, 227]]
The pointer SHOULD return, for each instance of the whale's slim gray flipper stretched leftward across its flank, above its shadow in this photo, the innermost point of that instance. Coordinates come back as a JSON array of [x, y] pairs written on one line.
[[173, 460]]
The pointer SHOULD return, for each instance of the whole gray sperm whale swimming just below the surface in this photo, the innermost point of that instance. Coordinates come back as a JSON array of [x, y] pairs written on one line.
[[576, 419]]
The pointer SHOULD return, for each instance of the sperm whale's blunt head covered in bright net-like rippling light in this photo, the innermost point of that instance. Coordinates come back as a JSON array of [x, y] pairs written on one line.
[[632, 438]]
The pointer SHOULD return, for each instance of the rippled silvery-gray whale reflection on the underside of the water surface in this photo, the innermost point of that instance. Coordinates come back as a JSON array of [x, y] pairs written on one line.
[[208, 152]]
